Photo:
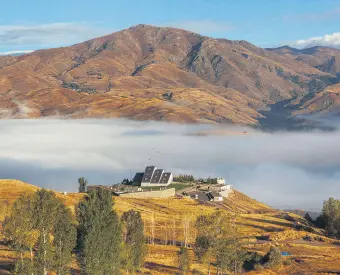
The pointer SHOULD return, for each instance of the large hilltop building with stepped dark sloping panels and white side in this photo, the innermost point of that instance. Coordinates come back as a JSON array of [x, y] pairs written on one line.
[[153, 177]]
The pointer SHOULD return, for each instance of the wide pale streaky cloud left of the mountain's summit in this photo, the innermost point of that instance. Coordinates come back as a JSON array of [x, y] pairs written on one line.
[[46, 35]]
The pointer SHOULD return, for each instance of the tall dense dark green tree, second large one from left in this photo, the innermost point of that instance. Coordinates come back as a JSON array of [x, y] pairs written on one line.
[[99, 238]]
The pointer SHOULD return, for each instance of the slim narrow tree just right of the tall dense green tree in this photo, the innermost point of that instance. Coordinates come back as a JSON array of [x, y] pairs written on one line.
[[135, 248]]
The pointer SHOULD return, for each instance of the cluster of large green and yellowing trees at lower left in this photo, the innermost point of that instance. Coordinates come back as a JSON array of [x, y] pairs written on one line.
[[42, 230]]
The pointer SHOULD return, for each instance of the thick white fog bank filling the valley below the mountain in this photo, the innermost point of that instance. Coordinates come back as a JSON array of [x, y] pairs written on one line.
[[283, 169]]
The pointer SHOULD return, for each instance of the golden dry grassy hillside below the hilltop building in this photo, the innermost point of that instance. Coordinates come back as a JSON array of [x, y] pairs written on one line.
[[260, 226]]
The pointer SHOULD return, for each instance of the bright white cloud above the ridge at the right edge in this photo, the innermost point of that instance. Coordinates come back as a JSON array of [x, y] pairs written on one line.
[[329, 40]]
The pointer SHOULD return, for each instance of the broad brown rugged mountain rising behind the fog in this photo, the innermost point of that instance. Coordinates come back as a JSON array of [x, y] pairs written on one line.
[[153, 73]]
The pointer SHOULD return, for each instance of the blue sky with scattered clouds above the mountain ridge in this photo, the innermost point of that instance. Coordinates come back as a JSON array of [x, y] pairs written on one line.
[[37, 24]]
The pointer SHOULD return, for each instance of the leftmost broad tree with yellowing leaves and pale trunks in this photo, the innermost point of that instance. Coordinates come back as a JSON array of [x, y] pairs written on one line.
[[35, 225]]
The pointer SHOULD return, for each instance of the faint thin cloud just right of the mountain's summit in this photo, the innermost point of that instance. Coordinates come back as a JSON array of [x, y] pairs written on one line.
[[201, 26]]
